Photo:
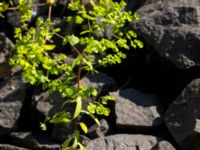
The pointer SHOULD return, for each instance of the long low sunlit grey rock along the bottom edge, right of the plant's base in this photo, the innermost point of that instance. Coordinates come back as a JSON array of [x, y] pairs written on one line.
[[124, 142]]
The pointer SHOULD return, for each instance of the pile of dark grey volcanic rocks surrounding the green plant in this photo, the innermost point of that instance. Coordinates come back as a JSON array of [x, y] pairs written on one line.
[[156, 89]]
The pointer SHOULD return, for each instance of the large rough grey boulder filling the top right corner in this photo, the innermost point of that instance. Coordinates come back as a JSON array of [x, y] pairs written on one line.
[[172, 28]]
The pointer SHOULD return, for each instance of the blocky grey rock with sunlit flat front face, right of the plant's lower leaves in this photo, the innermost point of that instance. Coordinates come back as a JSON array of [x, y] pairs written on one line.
[[135, 110]]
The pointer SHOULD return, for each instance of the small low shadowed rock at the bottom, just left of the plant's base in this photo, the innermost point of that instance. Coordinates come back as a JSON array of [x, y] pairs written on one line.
[[28, 140]]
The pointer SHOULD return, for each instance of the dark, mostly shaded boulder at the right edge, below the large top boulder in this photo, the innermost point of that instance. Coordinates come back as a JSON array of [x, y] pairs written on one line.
[[183, 117]]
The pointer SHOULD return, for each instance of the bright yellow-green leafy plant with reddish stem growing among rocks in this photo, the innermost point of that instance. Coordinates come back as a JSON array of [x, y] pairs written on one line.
[[102, 39]]
